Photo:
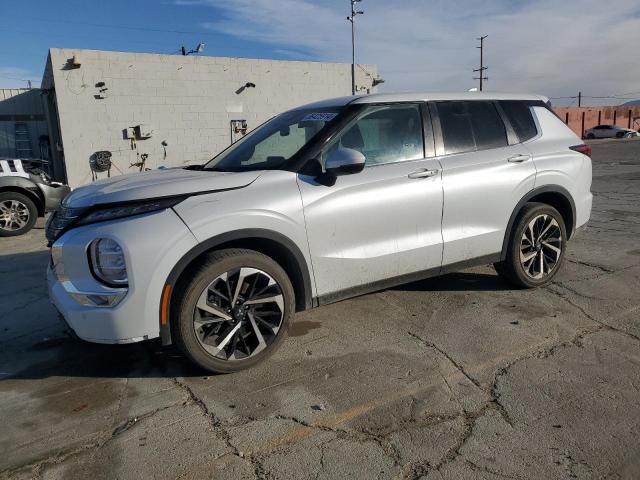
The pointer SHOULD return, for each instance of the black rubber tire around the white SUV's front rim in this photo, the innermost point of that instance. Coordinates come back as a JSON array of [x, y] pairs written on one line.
[[199, 278]]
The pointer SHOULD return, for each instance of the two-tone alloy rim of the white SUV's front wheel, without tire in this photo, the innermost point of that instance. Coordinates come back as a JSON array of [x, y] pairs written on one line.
[[239, 314]]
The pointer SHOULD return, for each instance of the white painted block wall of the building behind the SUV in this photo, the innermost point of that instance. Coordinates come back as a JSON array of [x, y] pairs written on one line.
[[189, 101]]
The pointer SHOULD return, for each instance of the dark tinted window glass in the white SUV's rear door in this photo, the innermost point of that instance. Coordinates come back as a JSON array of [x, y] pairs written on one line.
[[471, 126]]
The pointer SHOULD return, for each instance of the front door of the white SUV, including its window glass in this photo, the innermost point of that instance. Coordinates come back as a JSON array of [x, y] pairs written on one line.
[[385, 221]]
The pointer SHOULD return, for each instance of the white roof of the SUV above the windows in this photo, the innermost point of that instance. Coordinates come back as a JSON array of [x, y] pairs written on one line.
[[420, 97]]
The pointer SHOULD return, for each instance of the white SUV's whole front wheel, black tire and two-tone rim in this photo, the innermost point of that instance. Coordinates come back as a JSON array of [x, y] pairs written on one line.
[[233, 311]]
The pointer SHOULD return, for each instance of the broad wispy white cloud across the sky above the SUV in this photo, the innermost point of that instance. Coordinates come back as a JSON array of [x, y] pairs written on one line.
[[544, 46]]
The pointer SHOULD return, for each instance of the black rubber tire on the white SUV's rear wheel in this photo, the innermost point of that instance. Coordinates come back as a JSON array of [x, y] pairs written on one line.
[[512, 269]]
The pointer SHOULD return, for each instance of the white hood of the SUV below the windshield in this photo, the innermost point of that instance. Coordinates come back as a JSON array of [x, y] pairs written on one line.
[[157, 183]]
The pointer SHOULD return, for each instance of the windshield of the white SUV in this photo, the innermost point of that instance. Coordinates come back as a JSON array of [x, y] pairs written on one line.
[[271, 145]]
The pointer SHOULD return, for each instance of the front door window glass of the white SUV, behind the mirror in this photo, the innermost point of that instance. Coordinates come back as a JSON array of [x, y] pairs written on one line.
[[384, 134]]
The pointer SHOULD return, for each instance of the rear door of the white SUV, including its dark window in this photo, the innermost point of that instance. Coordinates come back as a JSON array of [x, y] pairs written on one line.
[[486, 170]]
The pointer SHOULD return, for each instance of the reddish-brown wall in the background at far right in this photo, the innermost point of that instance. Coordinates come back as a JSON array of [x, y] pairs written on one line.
[[580, 119]]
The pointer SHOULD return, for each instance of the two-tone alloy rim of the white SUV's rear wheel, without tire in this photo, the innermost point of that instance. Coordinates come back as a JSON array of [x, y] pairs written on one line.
[[540, 246]]
